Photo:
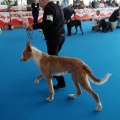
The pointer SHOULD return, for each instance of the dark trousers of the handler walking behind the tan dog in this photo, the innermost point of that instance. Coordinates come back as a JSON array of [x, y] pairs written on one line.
[[54, 45]]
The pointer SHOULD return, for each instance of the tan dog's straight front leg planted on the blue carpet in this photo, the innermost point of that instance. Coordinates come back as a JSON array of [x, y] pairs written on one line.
[[51, 90]]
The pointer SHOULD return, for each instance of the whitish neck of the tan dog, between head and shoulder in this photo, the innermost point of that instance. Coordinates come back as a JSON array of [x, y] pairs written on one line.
[[36, 55]]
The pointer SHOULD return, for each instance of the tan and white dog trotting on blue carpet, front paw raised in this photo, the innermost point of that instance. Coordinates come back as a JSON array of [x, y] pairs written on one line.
[[53, 65]]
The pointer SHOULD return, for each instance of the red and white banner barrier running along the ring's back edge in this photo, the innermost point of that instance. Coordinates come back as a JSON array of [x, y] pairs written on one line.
[[81, 14]]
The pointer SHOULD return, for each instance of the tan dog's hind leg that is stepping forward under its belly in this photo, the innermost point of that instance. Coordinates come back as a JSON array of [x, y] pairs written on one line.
[[77, 85]]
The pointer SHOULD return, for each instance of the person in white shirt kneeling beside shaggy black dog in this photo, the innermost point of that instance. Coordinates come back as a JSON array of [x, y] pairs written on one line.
[[95, 21]]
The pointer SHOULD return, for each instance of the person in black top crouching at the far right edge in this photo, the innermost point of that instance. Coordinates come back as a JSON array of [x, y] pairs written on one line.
[[114, 17]]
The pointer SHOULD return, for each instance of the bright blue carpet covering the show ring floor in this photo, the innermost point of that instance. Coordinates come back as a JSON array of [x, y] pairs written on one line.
[[20, 99]]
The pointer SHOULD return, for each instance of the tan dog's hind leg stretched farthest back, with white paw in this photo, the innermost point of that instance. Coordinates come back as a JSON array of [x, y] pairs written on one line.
[[86, 85]]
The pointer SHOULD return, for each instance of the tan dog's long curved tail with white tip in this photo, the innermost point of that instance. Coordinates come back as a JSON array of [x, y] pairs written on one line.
[[93, 78]]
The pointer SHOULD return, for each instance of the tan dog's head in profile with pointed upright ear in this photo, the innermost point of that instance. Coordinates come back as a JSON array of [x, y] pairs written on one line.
[[27, 52]]
